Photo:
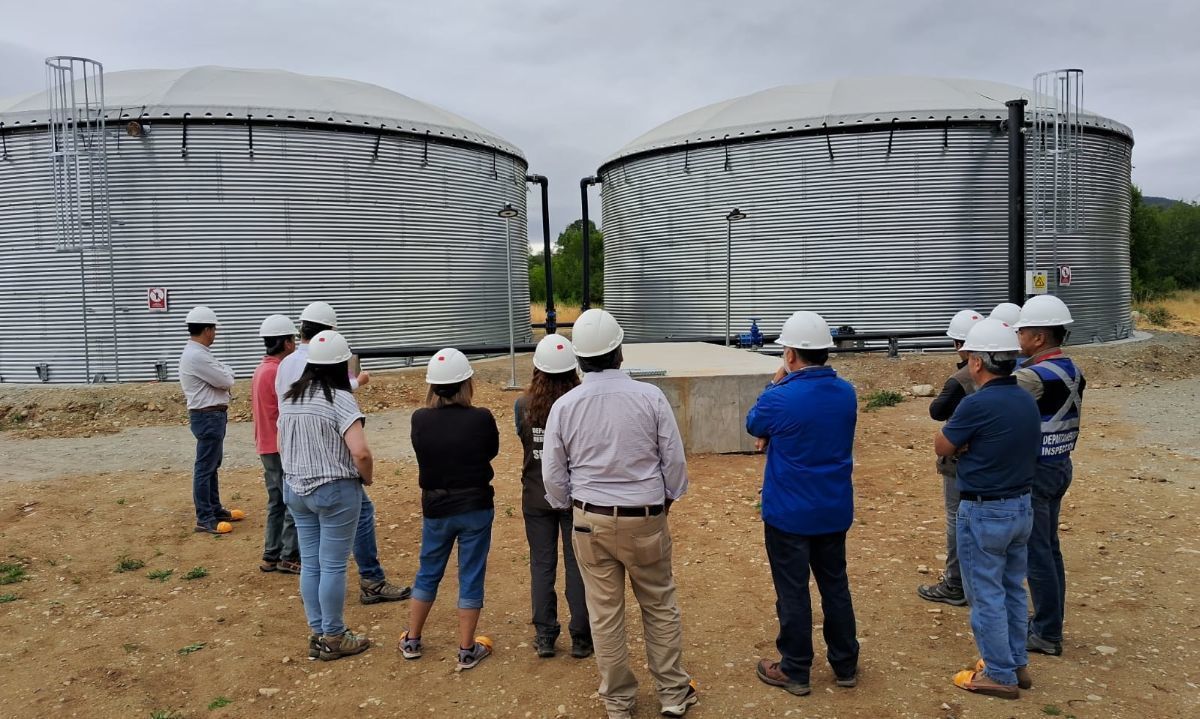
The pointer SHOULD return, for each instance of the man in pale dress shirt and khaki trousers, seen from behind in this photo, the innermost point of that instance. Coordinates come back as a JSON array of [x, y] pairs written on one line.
[[613, 451]]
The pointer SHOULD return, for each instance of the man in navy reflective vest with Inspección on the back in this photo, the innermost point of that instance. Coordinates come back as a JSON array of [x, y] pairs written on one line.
[[1058, 386]]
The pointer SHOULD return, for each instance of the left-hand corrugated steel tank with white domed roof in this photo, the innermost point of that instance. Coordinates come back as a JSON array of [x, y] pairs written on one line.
[[333, 190]]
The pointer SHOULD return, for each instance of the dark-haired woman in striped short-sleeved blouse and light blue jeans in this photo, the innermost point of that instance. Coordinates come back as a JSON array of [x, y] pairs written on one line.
[[326, 464]]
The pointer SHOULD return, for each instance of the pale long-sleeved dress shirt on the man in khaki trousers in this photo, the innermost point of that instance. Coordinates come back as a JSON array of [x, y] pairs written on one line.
[[613, 442]]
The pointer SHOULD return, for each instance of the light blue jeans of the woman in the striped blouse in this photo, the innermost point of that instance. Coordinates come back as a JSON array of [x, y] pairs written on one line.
[[326, 522]]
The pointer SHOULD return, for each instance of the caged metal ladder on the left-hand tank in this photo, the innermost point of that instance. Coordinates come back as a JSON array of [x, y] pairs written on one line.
[[79, 165]]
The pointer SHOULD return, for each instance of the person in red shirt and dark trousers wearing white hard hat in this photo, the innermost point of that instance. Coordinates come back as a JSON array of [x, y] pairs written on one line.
[[281, 553]]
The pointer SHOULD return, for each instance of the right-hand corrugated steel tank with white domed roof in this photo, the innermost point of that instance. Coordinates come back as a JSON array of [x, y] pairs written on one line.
[[880, 203]]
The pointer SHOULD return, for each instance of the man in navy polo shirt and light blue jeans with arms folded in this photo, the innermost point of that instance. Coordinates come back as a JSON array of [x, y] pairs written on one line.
[[995, 434]]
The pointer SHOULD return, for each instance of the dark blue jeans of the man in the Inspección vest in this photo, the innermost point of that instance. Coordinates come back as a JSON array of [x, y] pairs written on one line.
[[1048, 579]]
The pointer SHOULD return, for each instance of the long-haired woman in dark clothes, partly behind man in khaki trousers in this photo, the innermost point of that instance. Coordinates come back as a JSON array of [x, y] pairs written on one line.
[[555, 374]]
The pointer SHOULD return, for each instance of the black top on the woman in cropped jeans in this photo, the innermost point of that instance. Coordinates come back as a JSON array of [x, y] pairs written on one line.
[[455, 447]]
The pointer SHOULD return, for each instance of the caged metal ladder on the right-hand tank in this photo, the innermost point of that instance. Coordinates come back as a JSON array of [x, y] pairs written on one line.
[[1057, 148]]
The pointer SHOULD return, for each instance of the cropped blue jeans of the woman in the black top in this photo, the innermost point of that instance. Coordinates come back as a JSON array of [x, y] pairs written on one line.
[[473, 532]]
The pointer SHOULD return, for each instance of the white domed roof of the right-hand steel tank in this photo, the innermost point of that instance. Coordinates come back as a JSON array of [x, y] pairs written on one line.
[[839, 104]]
